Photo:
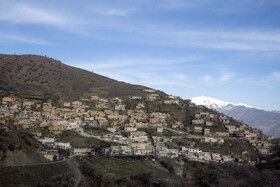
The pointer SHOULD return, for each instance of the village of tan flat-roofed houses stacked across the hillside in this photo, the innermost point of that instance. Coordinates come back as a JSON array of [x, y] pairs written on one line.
[[133, 130]]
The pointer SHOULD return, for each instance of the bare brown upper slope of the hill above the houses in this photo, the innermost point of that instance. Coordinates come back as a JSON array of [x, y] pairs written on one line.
[[43, 76]]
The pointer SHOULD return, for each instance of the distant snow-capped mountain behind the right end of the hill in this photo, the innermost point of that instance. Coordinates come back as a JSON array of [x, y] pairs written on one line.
[[267, 121]]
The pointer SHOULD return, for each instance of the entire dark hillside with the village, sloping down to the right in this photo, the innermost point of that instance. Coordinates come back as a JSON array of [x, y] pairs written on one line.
[[146, 139]]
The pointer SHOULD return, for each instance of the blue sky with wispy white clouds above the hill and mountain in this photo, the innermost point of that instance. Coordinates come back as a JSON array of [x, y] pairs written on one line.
[[225, 49]]
